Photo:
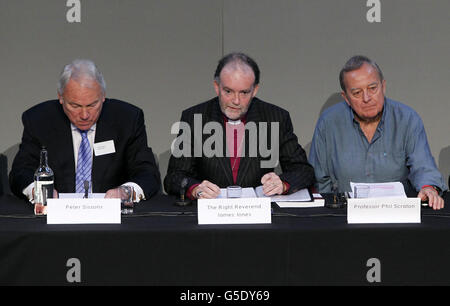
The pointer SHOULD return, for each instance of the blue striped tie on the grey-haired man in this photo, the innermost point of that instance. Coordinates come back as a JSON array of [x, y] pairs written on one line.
[[84, 163]]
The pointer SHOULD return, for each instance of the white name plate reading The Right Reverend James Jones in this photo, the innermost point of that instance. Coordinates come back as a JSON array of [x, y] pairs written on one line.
[[234, 211]]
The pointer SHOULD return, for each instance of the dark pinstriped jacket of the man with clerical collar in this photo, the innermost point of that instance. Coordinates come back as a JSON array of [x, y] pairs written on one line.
[[296, 169]]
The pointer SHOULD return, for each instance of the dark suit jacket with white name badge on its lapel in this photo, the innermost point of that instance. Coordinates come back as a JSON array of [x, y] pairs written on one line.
[[47, 124]]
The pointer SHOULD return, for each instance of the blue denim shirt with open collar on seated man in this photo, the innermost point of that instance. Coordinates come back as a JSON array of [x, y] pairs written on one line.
[[398, 152]]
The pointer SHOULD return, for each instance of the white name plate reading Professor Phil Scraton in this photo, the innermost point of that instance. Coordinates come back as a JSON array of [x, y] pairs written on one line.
[[383, 210]]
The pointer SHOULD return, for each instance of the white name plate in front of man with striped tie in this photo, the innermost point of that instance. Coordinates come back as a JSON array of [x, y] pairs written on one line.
[[83, 211]]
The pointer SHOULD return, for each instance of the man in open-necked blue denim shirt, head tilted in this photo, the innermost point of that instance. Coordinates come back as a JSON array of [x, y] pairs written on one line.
[[372, 139]]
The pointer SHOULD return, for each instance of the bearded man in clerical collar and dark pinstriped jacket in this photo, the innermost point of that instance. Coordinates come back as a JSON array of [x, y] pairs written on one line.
[[246, 128]]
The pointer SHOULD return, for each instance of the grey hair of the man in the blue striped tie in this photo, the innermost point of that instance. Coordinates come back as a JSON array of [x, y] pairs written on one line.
[[79, 69]]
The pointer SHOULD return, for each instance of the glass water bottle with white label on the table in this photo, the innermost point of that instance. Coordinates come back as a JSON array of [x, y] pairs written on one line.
[[43, 184]]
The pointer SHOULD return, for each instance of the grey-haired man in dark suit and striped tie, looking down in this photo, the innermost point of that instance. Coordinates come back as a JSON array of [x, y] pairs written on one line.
[[110, 133]]
